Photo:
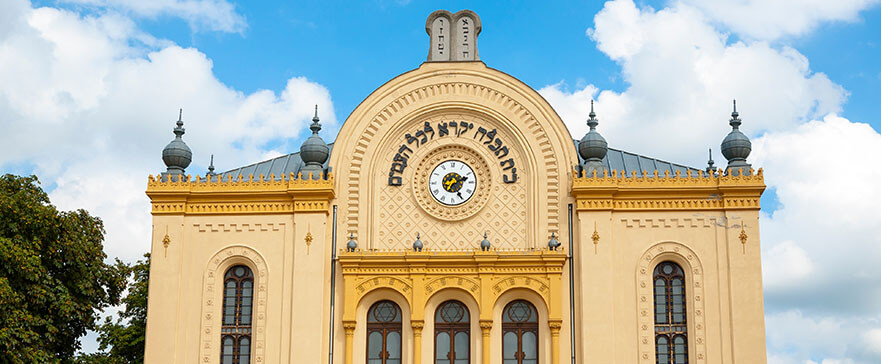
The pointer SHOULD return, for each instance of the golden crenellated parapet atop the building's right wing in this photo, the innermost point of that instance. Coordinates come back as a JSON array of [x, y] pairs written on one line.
[[621, 191]]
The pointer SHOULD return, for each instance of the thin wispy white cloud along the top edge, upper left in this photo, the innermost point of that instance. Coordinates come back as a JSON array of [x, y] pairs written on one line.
[[212, 15]]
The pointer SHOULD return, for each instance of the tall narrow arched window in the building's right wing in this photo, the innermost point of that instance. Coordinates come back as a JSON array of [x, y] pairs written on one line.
[[671, 336]]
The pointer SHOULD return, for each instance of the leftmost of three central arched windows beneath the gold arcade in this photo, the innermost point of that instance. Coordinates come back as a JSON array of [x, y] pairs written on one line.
[[384, 333]]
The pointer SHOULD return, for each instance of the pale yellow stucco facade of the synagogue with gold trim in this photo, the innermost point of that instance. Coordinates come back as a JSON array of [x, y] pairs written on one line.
[[622, 227]]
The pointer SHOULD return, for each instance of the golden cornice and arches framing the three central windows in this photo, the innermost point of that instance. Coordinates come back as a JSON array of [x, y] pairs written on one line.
[[485, 275]]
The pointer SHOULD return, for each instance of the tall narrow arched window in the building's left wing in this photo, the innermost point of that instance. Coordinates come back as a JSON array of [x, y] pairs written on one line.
[[235, 330]]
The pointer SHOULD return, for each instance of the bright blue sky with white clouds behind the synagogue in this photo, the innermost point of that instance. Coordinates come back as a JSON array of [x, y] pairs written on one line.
[[90, 90]]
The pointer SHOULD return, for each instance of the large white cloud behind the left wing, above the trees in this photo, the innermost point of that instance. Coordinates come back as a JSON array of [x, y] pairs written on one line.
[[90, 105]]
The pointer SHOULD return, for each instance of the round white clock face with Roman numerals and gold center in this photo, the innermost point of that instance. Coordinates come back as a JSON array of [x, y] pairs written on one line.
[[452, 182]]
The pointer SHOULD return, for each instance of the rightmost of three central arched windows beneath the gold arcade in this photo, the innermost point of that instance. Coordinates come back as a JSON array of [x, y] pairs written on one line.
[[519, 333]]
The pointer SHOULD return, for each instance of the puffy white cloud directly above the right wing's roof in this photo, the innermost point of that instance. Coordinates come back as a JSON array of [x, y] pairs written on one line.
[[682, 75]]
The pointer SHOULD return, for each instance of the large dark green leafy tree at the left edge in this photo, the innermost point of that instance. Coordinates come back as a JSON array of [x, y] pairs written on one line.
[[53, 278]]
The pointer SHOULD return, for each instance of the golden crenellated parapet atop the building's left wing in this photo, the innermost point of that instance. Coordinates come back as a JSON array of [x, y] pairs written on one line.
[[260, 195]]
